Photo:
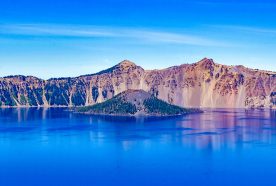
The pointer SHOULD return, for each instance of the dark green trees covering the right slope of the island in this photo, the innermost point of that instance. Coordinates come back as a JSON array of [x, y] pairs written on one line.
[[157, 106]]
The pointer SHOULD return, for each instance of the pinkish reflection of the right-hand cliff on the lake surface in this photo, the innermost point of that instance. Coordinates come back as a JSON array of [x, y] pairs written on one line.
[[238, 129]]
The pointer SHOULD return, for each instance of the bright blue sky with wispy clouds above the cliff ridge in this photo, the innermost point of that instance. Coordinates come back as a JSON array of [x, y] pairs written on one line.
[[67, 38]]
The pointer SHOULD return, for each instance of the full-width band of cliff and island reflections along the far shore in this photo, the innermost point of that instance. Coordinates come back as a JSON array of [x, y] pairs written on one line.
[[213, 130]]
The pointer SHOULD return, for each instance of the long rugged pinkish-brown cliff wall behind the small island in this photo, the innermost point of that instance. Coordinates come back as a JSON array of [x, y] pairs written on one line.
[[202, 84]]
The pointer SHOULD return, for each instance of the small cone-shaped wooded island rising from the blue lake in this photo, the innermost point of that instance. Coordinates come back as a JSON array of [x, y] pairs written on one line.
[[135, 102]]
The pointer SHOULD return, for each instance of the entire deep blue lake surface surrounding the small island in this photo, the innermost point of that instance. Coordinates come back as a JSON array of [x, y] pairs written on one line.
[[54, 147]]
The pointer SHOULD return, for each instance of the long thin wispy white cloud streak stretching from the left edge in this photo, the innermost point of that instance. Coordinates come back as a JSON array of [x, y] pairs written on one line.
[[146, 35]]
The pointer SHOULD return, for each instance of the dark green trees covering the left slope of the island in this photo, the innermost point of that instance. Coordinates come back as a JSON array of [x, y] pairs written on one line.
[[112, 106]]
